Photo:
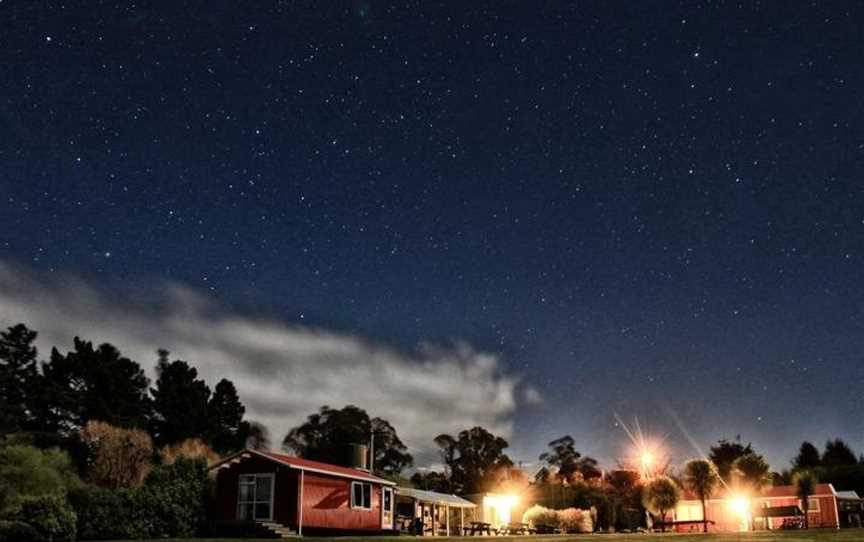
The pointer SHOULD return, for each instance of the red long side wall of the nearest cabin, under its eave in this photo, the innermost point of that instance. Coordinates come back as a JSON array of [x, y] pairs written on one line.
[[327, 504]]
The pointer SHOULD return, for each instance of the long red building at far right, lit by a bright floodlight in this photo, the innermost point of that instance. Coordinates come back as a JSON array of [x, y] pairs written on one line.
[[777, 507]]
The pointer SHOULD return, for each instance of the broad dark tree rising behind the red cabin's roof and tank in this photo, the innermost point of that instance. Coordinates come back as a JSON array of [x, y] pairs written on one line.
[[327, 434]]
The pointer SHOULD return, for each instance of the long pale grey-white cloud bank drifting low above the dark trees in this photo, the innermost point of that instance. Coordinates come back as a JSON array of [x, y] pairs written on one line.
[[282, 371]]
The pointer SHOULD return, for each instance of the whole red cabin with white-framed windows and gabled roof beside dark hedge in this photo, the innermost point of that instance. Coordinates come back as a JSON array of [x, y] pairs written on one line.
[[291, 495]]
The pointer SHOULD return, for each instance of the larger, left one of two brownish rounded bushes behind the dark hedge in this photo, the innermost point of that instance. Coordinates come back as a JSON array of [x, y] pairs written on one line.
[[119, 457]]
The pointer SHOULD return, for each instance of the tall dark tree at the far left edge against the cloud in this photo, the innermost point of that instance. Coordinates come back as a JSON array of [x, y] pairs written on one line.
[[18, 378]]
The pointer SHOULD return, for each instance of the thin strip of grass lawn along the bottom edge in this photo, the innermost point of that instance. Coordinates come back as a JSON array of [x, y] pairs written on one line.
[[845, 535]]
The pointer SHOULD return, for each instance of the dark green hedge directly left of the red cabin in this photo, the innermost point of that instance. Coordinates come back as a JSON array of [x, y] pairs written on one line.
[[170, 504]]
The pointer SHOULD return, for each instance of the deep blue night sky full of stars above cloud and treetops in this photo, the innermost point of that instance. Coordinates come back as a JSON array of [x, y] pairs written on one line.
[[646, 208]]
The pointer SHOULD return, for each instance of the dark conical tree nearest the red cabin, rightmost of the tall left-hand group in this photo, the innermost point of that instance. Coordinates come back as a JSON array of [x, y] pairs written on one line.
[[227, 432]]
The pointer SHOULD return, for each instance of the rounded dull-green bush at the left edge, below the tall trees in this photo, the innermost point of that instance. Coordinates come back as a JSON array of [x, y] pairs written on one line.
[[26, 471]]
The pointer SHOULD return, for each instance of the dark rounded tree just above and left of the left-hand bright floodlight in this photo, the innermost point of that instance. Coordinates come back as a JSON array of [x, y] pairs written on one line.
[[478, 460]]
